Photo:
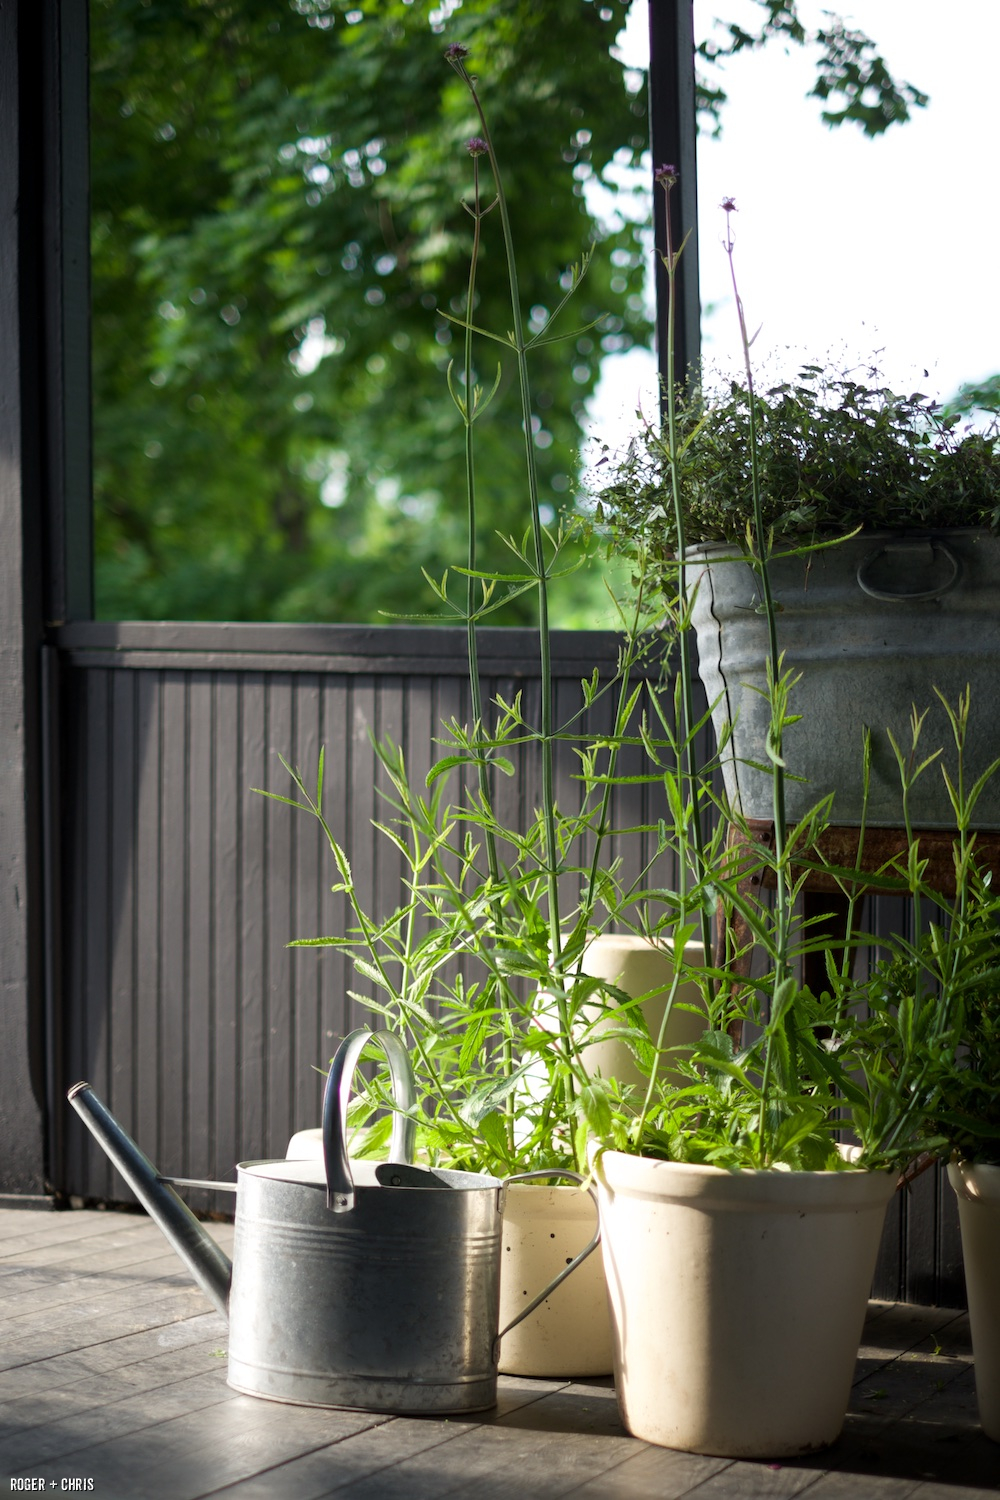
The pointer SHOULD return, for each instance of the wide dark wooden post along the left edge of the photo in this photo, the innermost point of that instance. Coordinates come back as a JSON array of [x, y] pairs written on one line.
[[44, 530]]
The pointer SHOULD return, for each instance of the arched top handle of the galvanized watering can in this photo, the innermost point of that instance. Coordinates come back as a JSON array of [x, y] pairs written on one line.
[[335, 1111]]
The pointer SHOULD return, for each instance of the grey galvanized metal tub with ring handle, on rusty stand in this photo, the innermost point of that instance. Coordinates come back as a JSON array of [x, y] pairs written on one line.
[[875, 628]]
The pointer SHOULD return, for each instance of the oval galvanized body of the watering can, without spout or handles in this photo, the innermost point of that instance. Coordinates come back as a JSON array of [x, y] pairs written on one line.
[[392, 1307]]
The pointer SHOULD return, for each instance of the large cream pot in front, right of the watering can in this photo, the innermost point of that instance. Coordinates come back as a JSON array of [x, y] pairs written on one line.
[[737, 1301]]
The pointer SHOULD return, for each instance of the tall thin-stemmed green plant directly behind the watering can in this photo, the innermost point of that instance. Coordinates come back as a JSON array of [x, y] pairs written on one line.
[[494, 916]]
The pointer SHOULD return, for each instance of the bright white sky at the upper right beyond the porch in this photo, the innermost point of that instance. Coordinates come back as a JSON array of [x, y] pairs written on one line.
[[846, 247]]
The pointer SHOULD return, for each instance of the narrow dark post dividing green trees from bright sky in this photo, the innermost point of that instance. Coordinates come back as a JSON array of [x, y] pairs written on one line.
[[672, 131]]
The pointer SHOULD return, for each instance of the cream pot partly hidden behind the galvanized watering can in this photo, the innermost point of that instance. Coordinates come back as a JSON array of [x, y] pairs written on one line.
[[570, 1334]]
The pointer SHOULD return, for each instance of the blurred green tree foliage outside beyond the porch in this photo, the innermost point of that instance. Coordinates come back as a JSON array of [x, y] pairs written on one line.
[[278, 230]]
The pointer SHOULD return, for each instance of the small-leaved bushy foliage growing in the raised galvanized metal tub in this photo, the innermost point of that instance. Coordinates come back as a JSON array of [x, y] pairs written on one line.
[[833, 455]]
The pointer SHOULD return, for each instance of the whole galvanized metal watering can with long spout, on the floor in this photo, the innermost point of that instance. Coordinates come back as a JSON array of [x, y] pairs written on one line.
[[353, 1285]]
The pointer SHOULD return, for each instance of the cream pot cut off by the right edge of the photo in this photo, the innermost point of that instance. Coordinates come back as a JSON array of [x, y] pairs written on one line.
[[978, 1189]]
